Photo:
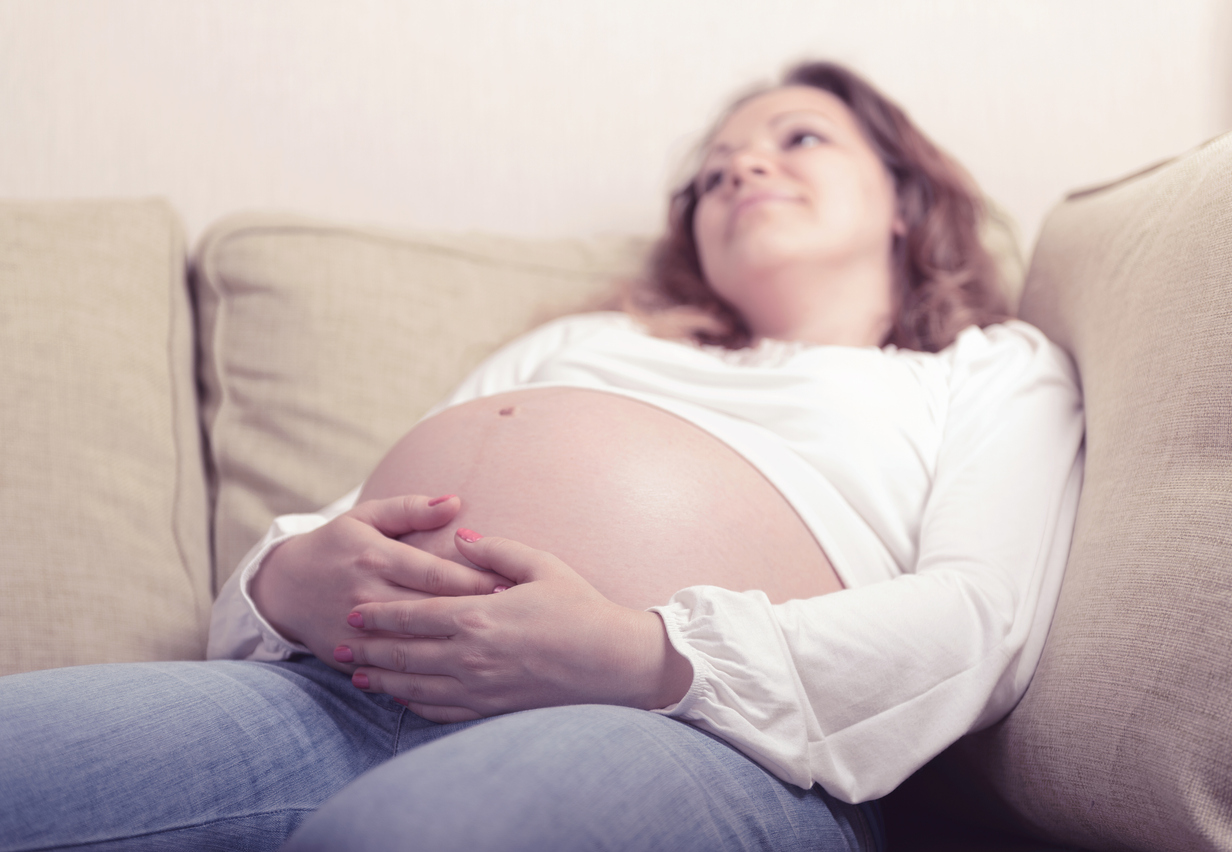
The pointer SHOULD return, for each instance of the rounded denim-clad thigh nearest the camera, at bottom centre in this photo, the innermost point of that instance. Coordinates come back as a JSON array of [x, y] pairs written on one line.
[[580, 779]]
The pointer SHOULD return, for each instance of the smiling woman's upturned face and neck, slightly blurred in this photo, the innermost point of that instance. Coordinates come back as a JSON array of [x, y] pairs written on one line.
[[798, 215]]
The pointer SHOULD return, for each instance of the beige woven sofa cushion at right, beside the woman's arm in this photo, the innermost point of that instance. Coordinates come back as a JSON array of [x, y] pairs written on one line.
[[1124, 741]]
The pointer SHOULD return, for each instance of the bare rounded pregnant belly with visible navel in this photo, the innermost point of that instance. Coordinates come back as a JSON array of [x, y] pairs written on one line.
[[635, 499]]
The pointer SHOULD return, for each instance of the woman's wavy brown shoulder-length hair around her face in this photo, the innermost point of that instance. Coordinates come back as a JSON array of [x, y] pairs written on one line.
[[946, 279]]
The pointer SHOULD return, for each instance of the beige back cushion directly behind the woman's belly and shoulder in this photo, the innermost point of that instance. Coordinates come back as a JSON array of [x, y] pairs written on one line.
[[322, 344]]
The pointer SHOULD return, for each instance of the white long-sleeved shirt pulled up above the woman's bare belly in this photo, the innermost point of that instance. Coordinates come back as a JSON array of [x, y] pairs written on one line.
[[943, 488]]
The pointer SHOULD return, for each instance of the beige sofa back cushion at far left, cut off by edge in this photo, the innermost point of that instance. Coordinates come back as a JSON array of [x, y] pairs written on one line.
[[104, 553]]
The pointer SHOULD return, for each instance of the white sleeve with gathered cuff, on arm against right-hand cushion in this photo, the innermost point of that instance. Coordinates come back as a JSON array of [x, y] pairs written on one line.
[[857, 690]]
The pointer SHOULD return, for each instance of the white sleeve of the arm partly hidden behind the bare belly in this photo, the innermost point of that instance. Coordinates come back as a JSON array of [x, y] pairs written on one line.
[[237, 630]]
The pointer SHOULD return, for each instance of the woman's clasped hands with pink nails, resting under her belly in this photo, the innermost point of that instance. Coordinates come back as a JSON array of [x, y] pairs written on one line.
[[442, 640]]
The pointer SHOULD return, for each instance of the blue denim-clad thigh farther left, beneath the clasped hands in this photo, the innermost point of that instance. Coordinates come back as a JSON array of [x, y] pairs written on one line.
[[180, 755]]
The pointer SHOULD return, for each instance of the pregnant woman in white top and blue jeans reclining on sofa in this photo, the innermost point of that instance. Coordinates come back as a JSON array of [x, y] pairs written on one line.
[[748, 555]]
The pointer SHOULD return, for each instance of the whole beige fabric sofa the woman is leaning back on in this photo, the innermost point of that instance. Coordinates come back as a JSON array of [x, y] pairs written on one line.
[[155, 422]]
